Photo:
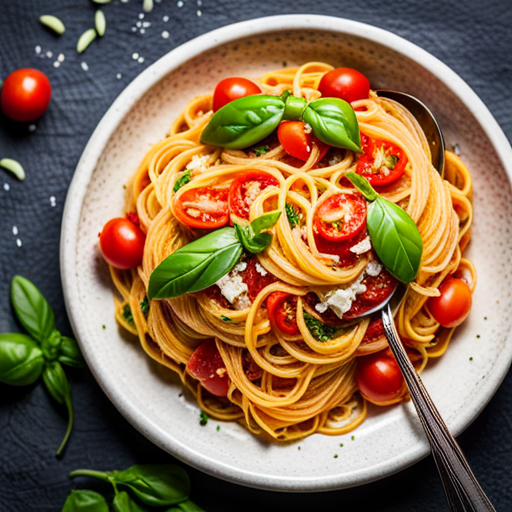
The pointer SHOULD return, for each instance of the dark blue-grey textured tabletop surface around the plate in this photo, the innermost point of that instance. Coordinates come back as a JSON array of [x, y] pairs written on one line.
[[472, 37]]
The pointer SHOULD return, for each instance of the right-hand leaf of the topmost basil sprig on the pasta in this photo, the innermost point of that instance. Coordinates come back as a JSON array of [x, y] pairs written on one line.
[[334, 122]]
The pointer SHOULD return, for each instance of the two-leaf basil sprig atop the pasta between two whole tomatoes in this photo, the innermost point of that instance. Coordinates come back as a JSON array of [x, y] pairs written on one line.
[[247, 121]]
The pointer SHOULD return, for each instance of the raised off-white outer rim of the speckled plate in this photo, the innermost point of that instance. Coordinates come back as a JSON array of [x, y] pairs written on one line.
[[94, 149]]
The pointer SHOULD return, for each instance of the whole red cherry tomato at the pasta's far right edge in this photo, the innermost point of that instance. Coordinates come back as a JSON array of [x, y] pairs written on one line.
[[452, 307]]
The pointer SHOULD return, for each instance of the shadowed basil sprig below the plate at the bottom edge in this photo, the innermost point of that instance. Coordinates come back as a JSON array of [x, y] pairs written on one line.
[[155, 485]]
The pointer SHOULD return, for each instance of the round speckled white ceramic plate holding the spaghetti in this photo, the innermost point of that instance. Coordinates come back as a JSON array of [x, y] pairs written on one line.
[[147, 395]]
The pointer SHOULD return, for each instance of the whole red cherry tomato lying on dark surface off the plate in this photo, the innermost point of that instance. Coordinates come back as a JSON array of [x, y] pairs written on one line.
[[25, 94]]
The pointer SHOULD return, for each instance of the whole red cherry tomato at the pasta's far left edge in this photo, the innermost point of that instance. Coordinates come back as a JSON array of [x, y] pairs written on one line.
[[122, 243]]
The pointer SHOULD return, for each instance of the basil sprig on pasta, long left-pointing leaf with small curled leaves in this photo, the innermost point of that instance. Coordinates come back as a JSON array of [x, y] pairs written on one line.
[[204, 261]]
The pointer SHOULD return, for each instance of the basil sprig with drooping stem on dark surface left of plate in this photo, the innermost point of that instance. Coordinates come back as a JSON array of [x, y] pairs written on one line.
[[24, 359]]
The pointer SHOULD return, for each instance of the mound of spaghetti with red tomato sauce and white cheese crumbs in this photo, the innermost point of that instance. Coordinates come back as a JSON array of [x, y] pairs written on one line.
[[292, 381]]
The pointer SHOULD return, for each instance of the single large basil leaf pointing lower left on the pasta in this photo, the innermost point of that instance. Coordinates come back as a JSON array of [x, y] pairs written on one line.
[[195, 266]]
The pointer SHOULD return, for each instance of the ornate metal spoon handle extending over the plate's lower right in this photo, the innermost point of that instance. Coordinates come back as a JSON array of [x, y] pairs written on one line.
[[462, 489]]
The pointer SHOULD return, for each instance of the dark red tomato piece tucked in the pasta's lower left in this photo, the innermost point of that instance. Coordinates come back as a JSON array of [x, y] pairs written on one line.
[[207, 366]]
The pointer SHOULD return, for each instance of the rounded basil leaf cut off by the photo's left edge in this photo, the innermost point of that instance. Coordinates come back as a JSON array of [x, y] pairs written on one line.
[[21, 360]]
